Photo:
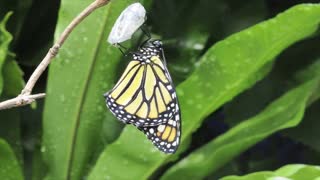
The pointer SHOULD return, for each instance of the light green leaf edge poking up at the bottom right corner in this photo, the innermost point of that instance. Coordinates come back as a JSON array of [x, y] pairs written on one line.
[[295, 171]]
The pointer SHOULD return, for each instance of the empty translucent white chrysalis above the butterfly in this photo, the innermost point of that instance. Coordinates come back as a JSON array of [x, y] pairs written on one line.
[[127, 23]]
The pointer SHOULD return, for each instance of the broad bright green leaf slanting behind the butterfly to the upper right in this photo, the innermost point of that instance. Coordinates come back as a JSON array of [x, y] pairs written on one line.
[[227, 69]]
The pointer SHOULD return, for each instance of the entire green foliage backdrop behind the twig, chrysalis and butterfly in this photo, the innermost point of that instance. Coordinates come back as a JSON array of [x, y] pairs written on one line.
[[245, 72]]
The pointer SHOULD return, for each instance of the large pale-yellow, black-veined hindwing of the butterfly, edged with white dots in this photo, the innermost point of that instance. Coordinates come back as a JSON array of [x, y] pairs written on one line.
[[144, 95]]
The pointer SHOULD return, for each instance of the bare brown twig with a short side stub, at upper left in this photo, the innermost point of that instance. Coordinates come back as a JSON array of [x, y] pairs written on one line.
[[25, 98]]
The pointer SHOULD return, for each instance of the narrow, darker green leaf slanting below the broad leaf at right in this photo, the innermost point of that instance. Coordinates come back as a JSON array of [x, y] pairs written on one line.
[[285, 112]]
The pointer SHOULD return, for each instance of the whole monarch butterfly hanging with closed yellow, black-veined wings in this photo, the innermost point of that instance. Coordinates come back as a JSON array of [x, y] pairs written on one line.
[[145, 97]]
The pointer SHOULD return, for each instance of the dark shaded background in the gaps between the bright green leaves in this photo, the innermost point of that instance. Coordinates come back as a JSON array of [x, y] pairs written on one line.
[[182, 24]]
